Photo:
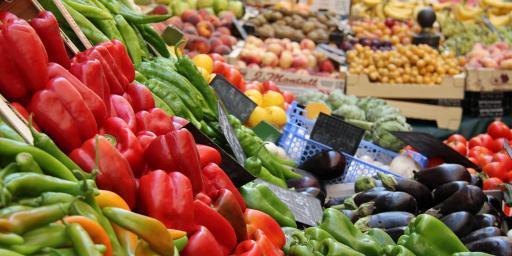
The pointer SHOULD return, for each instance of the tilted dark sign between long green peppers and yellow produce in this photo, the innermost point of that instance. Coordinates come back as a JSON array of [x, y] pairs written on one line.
[[235, 101]]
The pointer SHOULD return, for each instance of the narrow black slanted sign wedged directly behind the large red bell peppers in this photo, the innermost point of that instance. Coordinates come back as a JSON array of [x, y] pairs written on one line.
[[235, 171]]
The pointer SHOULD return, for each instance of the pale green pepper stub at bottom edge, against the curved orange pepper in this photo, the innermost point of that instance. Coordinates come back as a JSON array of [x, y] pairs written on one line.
[[82, 242]]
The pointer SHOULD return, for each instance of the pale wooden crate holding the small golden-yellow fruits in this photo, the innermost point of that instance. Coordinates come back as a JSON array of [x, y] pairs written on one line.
[[450, 88]]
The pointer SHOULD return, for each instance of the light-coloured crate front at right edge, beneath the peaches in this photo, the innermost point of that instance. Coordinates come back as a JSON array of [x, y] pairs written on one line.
[[488, 80]]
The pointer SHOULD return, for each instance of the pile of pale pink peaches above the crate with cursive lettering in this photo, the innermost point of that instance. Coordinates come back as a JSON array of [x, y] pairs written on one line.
[[282, 54]]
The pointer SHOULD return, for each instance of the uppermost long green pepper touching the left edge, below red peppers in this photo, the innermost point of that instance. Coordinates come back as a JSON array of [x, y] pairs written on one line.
[[48, 163]]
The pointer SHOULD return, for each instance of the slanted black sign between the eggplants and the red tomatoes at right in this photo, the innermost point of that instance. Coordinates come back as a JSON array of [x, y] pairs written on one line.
[[430, 146]]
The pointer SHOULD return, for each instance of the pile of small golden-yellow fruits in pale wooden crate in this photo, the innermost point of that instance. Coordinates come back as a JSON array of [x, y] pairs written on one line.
[[405, 64]]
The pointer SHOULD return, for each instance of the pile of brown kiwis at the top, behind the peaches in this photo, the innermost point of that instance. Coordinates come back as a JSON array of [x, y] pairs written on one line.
[[294, 25]]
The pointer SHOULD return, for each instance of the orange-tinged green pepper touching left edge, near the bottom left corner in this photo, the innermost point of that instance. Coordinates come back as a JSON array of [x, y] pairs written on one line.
[[22, 221]]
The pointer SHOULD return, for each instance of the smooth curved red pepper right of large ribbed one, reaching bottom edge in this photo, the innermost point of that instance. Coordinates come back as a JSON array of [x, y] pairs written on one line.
[[215, 223]]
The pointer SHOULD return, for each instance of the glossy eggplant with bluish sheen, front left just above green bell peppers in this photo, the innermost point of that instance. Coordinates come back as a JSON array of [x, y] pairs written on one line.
[[385, 220]]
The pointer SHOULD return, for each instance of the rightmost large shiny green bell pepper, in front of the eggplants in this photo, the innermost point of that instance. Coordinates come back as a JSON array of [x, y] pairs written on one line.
[[427, 235]]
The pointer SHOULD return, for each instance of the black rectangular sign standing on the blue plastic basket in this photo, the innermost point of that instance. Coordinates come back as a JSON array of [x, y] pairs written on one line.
[[336, 133]]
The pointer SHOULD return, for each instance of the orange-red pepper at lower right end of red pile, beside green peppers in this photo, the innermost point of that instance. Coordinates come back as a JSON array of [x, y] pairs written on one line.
[[261, 221]]
